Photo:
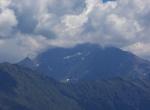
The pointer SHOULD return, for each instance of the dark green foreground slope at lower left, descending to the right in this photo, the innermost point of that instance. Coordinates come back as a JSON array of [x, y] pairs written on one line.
[[24, 89]]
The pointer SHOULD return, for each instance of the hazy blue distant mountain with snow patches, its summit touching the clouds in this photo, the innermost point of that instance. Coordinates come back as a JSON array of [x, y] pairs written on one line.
[[89, 61]]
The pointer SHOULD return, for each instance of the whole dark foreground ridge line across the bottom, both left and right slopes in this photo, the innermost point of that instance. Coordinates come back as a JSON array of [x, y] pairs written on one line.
[[25, 89]]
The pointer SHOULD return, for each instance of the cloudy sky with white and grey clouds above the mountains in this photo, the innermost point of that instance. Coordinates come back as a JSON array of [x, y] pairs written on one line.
[[28, 27]]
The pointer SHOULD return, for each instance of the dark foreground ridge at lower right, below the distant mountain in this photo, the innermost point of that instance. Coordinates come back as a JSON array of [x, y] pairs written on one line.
[[114, 94]]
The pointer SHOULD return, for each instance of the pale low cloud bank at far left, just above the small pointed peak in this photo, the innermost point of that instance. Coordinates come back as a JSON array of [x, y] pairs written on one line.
[[21, 46]]
